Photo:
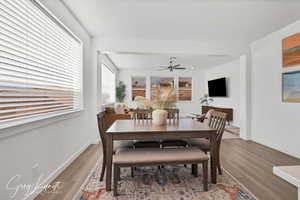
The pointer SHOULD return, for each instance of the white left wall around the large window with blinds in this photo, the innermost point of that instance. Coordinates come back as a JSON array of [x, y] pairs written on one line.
[[54, 142]]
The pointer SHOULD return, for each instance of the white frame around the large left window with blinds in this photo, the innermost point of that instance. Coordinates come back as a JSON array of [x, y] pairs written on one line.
[[19, 122]]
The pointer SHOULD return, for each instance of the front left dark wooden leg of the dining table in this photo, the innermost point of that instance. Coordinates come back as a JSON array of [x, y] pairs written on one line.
[[109, 151]]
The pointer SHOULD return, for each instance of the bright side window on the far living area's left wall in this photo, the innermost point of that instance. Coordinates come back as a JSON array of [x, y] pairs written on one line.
[[108, 85]]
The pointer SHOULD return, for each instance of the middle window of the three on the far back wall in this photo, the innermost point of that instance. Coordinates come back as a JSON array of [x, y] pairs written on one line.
[[162, 84]]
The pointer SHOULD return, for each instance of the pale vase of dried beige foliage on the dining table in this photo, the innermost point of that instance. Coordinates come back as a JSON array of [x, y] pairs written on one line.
[[159, 103]]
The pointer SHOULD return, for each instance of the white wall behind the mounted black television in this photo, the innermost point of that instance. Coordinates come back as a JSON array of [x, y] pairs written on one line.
[[232, 72]]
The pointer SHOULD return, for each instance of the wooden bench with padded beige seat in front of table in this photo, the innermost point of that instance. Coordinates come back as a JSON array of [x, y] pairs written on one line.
[[155, 157]]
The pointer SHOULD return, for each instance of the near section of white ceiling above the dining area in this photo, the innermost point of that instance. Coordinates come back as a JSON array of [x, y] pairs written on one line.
[[184, 19]]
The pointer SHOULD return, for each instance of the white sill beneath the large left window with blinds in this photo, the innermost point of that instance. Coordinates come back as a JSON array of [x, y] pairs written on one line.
[[15, 128]]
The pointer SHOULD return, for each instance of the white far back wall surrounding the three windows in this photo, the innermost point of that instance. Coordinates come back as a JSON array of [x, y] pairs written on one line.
[[185, 107]]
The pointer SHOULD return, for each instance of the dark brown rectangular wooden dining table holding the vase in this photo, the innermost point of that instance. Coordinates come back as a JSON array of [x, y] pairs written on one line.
[[146, 130]]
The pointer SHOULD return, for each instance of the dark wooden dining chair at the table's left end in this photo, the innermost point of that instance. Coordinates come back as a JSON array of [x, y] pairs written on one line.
[[117, 146]]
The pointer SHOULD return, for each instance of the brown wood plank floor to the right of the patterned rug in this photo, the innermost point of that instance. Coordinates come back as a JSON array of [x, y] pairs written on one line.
[[252, 164]]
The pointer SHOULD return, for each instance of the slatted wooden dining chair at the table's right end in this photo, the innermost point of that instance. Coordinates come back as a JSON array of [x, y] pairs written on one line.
[[217, 120]]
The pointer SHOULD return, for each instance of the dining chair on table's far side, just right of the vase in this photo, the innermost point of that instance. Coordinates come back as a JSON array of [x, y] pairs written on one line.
[[173, 117]]
